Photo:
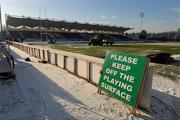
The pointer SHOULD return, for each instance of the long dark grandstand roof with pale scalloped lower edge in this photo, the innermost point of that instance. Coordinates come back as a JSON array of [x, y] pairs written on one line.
[[61, 25]]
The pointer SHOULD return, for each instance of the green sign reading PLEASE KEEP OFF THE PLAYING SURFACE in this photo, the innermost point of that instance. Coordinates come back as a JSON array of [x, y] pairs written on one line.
[[122, 76]]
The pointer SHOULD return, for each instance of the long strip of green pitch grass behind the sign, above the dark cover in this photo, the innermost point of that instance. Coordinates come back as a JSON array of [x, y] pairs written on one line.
[[100, 51]]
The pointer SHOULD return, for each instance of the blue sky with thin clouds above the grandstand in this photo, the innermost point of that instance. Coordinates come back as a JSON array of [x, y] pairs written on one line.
[[159, 15]]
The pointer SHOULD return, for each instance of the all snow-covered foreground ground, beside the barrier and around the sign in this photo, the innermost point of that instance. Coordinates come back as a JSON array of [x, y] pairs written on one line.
[[46, 92]]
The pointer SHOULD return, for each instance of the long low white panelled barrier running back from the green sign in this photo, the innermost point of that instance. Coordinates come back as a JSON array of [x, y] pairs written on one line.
[[83, 66]]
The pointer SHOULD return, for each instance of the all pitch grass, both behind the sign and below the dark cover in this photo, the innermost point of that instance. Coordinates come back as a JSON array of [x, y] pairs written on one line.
[[170, 71]]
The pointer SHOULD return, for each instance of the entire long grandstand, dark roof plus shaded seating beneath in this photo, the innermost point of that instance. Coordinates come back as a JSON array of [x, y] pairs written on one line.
[[21, 28]]
